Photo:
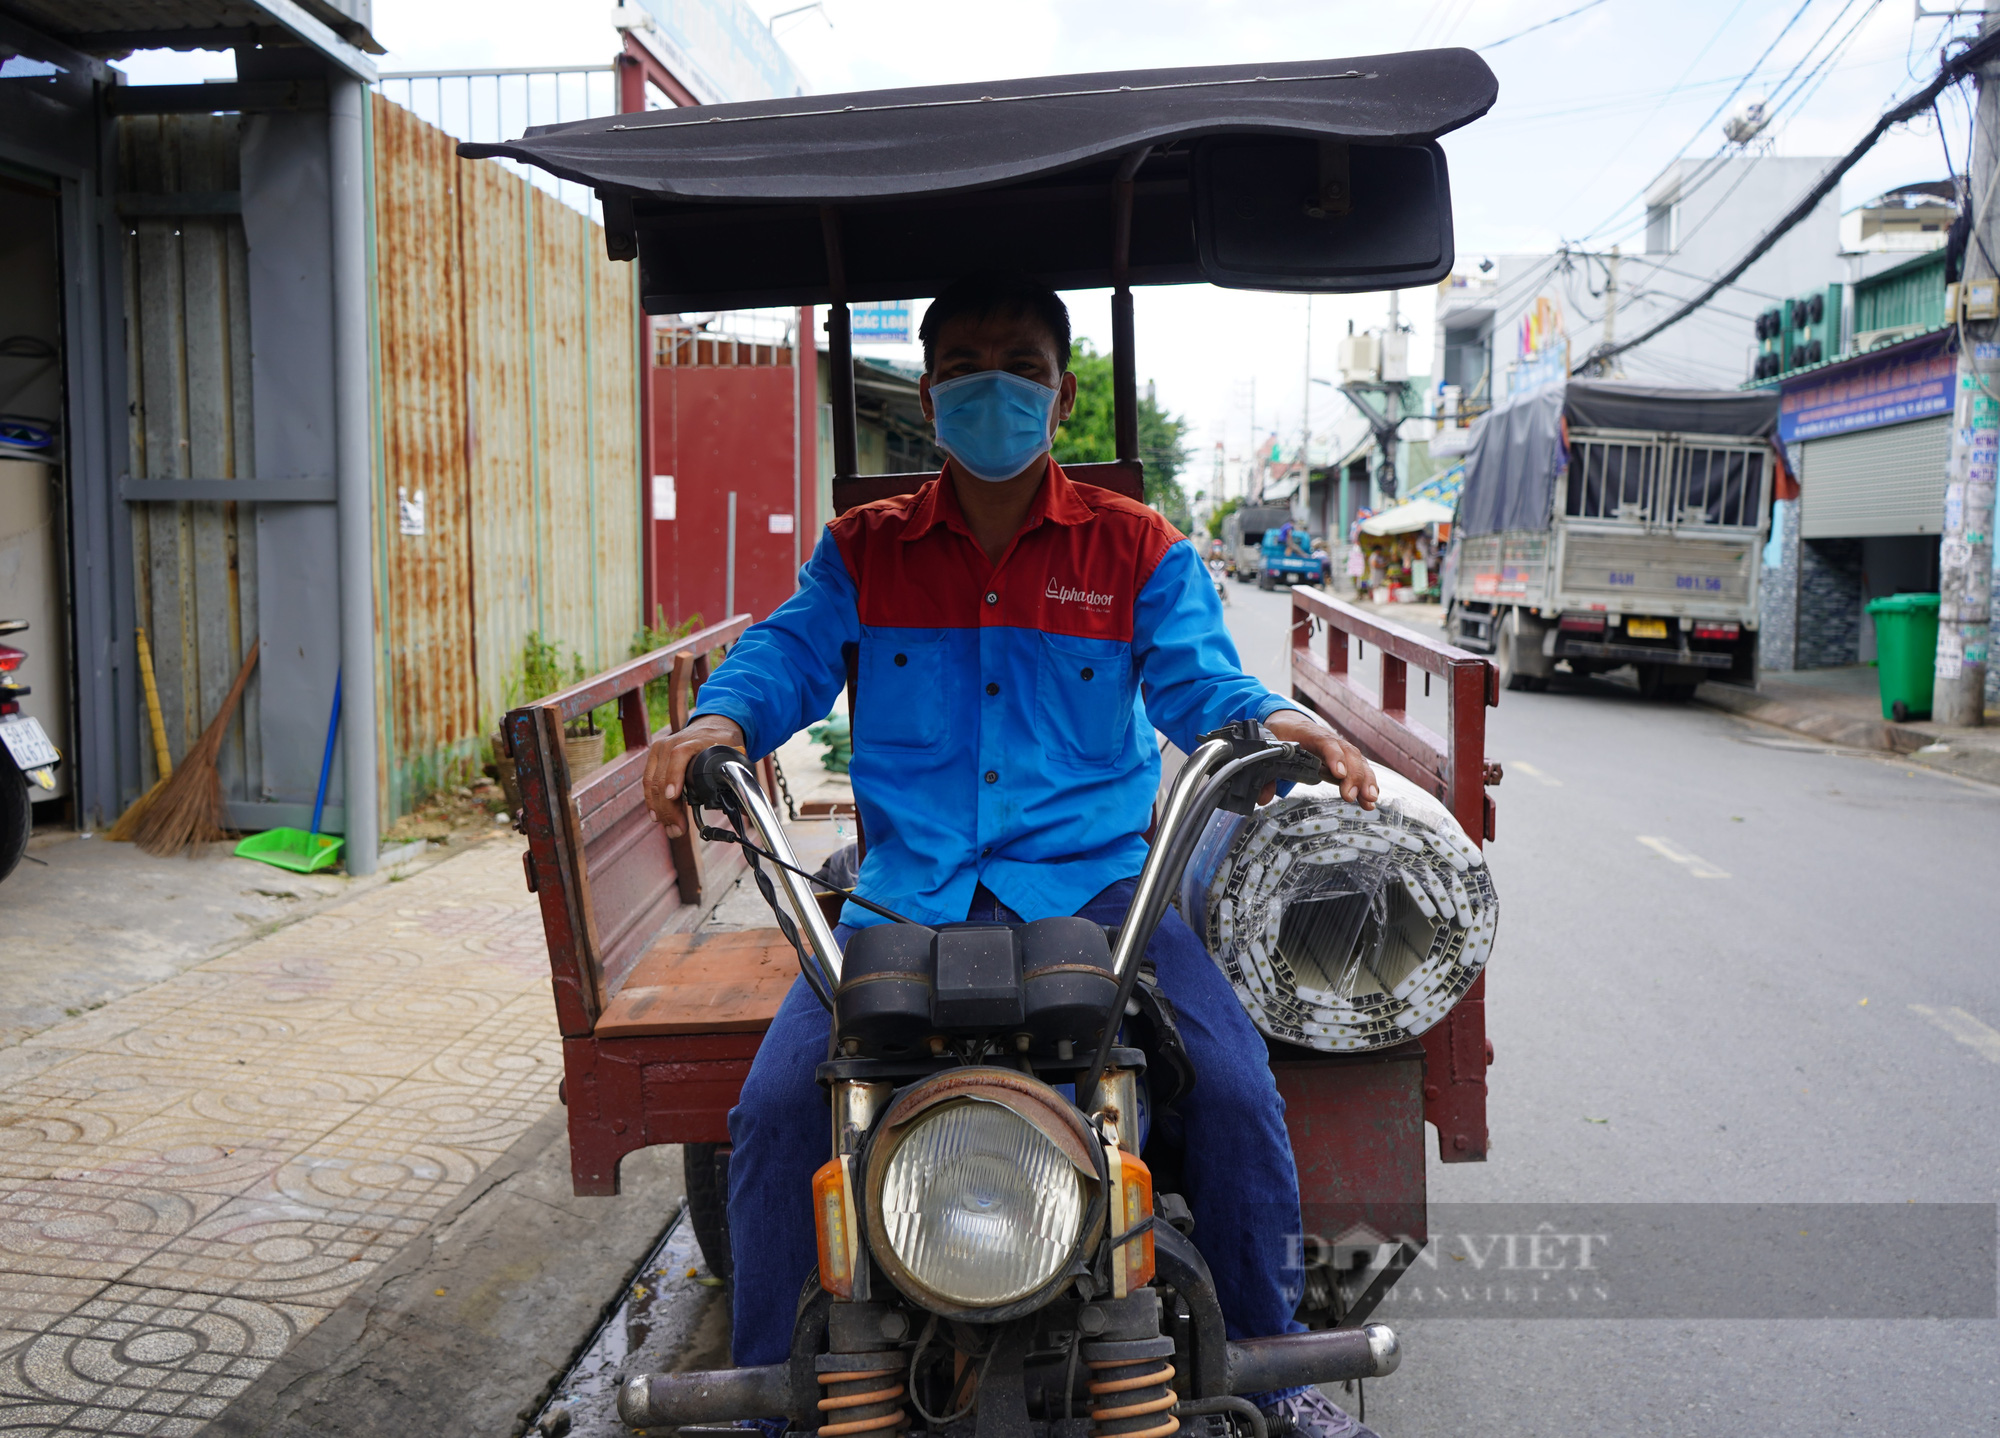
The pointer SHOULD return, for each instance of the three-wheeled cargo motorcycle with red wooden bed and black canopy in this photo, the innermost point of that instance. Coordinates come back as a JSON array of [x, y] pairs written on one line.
[[1085, 1307]]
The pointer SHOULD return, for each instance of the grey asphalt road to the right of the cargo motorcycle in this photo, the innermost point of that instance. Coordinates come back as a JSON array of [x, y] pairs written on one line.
[[1733, 967]]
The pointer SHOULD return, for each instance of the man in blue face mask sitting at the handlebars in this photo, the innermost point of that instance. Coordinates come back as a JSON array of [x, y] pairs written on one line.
[[1017, 639]]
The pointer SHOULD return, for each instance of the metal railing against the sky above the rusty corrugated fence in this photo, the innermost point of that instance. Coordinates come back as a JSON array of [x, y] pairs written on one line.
[[503, 103]]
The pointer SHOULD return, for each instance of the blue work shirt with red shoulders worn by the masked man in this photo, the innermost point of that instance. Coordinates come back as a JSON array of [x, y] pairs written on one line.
[[1005, 713]]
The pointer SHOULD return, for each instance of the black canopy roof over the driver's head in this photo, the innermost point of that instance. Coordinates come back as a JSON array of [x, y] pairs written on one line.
[[1309, 175]]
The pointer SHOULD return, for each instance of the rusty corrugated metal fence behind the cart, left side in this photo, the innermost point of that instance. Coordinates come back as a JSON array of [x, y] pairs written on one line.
[[509, 445]]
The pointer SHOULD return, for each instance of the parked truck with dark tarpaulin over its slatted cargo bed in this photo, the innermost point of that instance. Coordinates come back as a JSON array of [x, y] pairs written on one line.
[[1607, 525]]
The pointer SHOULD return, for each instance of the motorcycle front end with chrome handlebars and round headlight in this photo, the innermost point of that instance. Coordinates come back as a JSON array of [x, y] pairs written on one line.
[[993, 1257]]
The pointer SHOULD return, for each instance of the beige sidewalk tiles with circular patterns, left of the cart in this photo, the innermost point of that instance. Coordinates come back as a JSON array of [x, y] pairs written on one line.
[[195, 1175]]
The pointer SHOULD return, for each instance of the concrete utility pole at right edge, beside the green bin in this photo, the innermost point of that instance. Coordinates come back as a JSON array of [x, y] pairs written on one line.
[[1967, 545]]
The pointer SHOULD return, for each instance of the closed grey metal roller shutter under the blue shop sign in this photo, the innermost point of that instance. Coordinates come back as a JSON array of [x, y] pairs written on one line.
[[1887, 481]]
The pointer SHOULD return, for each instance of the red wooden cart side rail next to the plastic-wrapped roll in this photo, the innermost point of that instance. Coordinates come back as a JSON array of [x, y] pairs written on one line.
[[1453, 767]]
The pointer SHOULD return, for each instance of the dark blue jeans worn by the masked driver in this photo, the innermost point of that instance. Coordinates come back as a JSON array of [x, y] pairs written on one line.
[[1239, 1181]]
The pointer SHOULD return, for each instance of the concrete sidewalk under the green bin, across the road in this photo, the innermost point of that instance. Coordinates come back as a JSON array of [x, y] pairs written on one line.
[[1845, 707]]
